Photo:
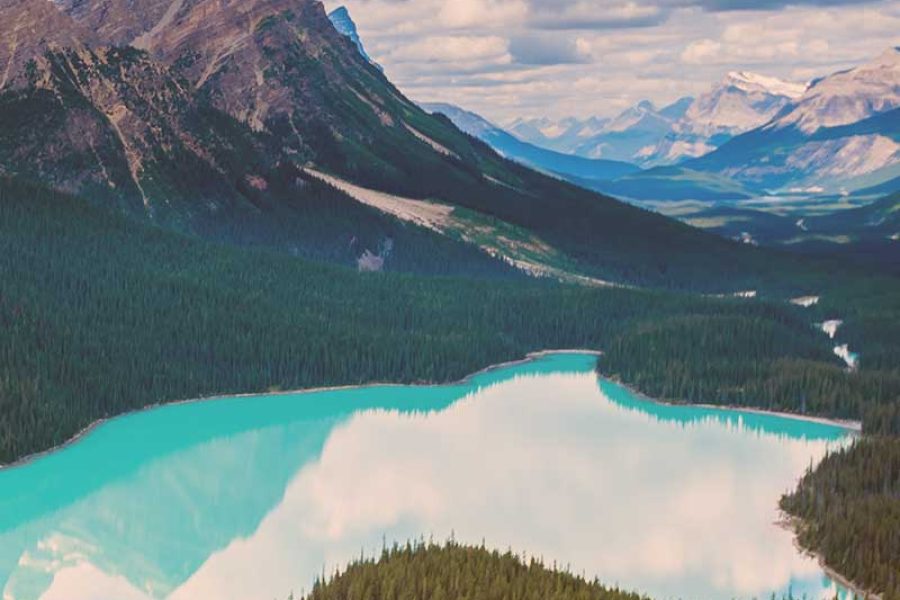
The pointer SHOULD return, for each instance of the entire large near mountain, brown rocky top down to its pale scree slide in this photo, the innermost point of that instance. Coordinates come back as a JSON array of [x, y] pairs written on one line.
[[256, 122]]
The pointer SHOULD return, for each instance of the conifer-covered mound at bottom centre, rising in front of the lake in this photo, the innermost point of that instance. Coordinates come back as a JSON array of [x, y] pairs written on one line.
[[453, 571]]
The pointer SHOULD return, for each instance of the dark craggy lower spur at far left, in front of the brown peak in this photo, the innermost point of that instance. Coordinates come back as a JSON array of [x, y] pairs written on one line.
[[114, 123]]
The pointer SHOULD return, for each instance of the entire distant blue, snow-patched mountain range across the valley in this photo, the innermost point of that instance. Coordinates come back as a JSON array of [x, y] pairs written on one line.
[[748, 135]]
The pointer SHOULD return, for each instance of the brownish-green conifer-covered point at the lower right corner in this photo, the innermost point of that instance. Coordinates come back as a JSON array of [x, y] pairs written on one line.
[[849, 508]]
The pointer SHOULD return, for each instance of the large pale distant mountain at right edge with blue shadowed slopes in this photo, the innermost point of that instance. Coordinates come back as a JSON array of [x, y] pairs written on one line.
[[842, 134]]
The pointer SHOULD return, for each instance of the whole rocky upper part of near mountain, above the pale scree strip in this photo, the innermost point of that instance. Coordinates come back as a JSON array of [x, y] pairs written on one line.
[[175, 105]]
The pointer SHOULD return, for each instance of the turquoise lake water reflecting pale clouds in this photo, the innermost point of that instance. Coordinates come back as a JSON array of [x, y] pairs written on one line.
[[251, 498]]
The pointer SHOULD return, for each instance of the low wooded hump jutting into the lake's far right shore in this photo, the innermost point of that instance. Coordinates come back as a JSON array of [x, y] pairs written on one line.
[[737, 360]]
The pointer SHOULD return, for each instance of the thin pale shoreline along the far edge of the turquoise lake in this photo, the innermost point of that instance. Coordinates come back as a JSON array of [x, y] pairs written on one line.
[[854, 426]]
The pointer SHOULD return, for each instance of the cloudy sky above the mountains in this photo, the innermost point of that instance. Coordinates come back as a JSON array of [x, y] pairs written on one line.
[[507, 59]]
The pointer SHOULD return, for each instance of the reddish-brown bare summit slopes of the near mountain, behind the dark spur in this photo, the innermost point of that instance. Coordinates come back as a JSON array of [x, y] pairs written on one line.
[[253, 58]]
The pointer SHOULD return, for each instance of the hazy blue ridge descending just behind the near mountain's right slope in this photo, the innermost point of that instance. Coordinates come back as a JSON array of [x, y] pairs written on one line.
[[567, 166]]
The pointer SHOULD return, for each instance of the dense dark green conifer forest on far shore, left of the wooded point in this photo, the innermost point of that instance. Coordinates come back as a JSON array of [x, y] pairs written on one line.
[[101, 315]]
